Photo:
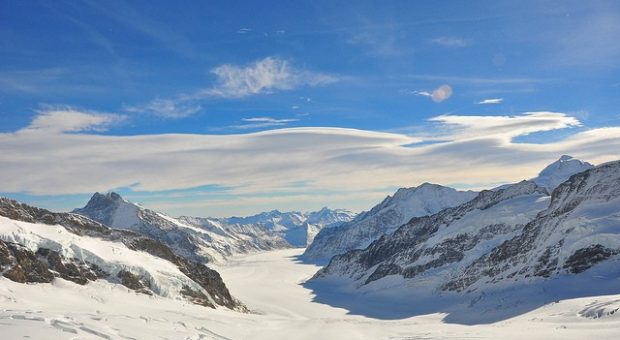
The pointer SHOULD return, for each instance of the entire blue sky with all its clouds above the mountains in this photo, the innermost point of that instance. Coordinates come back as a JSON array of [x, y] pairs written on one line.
[[220, 108]]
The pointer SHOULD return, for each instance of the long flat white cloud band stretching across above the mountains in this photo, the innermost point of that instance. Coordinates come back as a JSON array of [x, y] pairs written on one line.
[[327, 159]]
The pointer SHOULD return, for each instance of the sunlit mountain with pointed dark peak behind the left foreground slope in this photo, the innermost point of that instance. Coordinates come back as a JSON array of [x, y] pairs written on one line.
[[203, 240]]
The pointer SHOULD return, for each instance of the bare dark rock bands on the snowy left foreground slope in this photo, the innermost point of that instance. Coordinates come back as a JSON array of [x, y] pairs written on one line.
[[22, 265]]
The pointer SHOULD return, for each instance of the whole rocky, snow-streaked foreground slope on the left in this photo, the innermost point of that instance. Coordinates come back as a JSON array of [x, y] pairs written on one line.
[[39, 246]]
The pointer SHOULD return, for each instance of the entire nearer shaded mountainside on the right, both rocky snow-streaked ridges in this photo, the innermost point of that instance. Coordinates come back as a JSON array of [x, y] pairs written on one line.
[[501, 238]]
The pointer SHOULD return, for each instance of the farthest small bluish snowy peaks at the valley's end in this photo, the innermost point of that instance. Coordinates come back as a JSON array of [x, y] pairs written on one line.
[[299, 229]]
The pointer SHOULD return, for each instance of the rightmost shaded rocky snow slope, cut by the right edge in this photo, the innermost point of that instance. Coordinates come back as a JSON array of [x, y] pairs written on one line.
[[579, 229]]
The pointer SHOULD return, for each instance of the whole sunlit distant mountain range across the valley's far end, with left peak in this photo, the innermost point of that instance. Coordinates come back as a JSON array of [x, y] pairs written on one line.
[[212, 239]]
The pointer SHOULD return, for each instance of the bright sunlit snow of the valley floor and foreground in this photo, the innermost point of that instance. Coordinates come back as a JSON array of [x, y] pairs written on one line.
[[269, 284]]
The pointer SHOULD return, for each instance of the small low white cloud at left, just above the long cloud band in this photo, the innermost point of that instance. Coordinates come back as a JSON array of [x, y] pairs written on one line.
[[67, 119]]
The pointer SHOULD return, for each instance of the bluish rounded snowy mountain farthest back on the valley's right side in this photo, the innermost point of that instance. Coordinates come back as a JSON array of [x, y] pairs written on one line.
[[384, 218]]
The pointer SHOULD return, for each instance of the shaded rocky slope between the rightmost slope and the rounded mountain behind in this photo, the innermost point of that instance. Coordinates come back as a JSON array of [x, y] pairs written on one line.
[[441, 242]]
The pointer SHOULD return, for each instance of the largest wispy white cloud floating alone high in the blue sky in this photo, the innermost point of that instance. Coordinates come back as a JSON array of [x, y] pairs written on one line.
[[263, 76]]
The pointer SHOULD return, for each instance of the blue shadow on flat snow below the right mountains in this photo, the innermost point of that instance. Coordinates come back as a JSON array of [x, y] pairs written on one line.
[[496, 303]]
